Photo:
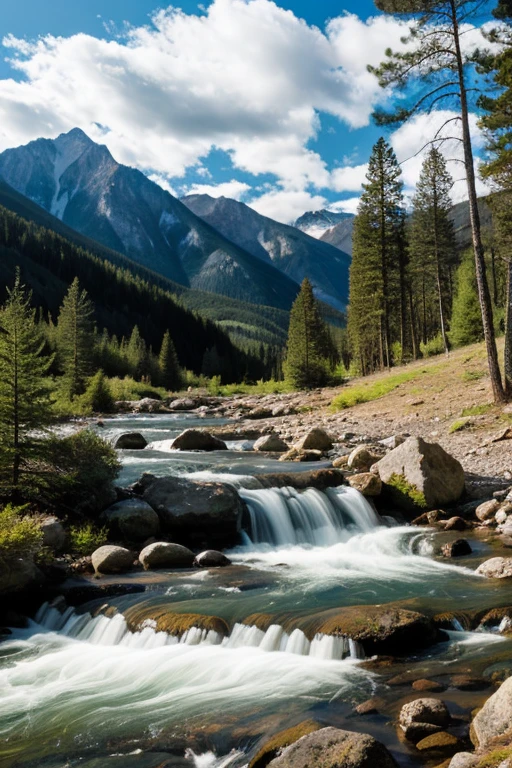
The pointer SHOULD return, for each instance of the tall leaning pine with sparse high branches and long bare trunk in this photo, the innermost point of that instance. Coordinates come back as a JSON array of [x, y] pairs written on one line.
[[436, 62]]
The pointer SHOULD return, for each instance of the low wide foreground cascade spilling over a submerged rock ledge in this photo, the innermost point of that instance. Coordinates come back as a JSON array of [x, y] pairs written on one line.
[[104, 630]]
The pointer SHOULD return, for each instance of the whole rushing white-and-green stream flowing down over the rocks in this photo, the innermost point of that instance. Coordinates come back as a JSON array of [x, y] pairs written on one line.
[[103, 684]]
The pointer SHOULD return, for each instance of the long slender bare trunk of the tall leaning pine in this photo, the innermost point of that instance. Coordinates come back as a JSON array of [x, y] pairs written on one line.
[[481, 278]]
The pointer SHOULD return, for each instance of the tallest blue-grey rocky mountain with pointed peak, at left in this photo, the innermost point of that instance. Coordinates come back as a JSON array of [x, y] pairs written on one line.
[[80, 183]]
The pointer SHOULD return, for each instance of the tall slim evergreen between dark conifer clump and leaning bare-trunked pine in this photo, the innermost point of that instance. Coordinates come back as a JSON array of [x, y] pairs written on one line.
[[432, 243]]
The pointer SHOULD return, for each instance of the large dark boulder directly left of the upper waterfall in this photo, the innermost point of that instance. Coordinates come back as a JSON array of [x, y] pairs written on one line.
[[202, 515]]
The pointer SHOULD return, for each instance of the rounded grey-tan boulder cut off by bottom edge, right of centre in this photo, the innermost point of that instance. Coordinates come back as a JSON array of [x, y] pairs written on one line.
[[334, 748]]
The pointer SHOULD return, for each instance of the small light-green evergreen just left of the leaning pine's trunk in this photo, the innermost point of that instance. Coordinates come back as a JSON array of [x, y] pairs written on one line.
[[466, 322]]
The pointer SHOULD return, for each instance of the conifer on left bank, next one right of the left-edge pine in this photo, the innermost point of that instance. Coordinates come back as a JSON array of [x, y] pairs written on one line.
[[75, 340]]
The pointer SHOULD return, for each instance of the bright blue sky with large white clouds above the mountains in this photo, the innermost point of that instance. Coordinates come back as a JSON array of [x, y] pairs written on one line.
[[268, 103]]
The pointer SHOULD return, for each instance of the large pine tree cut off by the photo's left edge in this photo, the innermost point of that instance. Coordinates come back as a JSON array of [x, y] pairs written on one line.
[[24, 397]]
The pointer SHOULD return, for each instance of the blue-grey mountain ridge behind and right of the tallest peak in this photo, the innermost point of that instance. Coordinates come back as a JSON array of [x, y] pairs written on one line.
[[294, 252]]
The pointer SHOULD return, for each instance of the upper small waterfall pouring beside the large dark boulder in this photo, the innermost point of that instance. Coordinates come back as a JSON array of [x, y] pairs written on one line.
[[286, 517]]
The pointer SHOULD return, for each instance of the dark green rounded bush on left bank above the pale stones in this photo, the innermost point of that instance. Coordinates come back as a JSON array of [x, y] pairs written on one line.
[[82, 465]]
